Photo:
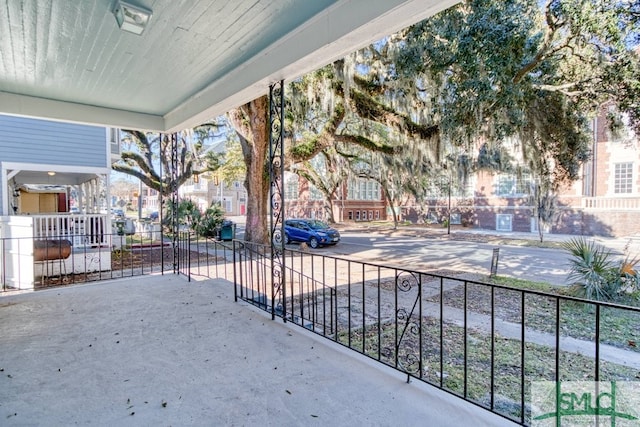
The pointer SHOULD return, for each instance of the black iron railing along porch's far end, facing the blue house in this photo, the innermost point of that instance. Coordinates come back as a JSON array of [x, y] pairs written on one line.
[[31, 263]]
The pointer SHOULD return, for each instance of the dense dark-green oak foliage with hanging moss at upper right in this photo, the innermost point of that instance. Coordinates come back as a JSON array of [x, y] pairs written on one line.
[[488, 70]]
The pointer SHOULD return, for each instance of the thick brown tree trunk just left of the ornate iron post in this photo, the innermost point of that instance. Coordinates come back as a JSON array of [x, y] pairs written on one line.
[[251, 122]]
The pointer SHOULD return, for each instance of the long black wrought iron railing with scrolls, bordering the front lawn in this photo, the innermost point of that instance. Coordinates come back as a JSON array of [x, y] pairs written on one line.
[[484, 343]]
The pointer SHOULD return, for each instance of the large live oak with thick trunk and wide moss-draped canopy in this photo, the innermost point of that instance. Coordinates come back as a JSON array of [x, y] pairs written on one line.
[[461, 86]]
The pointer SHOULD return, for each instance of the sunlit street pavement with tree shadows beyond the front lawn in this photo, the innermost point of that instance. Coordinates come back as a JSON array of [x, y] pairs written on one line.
[[465, 249]]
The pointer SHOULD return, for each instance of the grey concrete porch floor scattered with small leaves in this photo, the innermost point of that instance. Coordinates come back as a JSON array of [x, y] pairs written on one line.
[[162, 351]]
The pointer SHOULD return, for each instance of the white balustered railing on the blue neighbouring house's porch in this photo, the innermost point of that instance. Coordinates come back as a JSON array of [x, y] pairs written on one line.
[[81, 229]]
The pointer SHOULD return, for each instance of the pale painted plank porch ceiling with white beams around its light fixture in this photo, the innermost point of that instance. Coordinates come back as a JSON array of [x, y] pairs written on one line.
[[68, 60]]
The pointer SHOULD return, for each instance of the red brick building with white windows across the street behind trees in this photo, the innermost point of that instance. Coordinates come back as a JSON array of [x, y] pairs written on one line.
[[605, 201]]
